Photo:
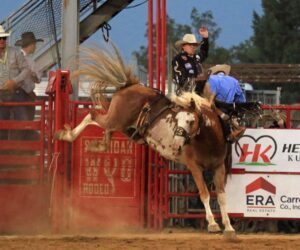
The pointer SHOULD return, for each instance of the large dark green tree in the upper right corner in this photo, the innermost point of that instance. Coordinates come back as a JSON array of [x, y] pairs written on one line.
[[276, 34]]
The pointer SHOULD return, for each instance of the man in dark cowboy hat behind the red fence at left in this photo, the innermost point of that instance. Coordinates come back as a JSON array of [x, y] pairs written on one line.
[[28, 46]]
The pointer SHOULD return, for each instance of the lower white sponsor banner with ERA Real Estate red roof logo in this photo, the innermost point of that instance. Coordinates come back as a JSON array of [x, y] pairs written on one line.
[[262, 195]]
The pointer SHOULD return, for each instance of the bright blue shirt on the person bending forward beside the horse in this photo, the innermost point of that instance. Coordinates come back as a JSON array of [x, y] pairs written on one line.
[[226, 88]]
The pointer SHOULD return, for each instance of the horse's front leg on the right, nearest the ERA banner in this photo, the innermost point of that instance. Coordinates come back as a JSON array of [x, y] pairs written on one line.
[[219, 180]]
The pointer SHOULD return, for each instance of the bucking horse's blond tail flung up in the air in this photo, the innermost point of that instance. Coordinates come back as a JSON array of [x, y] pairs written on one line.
[[104, 69]]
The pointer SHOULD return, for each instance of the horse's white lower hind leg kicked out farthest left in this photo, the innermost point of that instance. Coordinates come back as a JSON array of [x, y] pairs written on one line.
[[67, 134]]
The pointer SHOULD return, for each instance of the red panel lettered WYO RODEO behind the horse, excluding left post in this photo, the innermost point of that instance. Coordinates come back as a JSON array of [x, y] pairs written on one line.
[[107, 189]]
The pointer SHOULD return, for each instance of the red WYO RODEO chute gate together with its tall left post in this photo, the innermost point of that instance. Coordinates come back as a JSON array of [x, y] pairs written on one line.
[[92, 190]]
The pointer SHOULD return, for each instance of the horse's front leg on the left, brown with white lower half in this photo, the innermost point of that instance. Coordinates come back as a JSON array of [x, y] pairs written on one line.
[[204, 196]]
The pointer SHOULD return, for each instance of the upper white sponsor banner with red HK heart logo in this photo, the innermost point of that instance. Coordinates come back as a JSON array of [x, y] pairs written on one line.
[[268, 150]]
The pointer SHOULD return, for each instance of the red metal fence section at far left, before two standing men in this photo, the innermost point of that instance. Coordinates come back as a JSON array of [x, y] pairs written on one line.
[[23, 191]]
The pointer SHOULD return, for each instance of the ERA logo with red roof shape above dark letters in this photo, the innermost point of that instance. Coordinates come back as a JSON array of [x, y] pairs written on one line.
[[260, 194]]
